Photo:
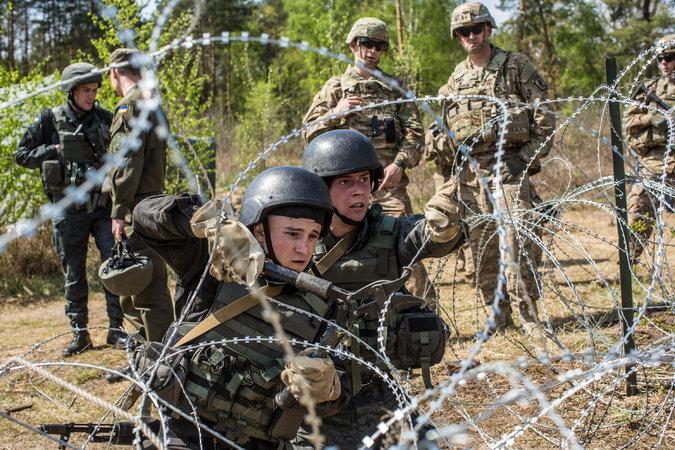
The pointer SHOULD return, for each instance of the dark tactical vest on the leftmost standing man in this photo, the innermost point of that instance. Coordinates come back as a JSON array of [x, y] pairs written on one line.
[[79, 151]]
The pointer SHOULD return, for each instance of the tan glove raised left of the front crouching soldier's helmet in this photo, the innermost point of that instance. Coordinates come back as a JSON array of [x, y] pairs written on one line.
[[237, 255]]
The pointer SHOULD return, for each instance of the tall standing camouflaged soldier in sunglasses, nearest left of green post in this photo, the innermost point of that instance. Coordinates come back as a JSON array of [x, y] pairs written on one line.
[[510, 76]]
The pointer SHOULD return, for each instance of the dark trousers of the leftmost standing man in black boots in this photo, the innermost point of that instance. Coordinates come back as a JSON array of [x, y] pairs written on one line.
[[70, 236]]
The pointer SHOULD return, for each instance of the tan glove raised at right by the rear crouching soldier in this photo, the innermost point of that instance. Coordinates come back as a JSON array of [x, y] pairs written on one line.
[[442, 214]]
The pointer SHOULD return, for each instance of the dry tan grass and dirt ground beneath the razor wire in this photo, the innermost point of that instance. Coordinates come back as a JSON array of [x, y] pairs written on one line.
[[579, 311]]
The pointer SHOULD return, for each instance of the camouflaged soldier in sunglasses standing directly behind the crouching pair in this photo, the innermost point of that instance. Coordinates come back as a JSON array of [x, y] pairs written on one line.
[[395, 129]]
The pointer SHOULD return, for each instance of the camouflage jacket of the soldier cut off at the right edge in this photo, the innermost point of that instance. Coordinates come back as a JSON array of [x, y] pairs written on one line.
[[646, 129]]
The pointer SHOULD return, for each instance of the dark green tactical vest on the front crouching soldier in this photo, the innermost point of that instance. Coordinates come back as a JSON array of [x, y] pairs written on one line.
[[233, 385]]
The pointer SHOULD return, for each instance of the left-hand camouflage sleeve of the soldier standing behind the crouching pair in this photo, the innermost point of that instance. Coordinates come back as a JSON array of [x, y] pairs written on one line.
[[321, 110]]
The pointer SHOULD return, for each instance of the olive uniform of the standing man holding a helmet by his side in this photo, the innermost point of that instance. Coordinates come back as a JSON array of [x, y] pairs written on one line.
[[150, 311]]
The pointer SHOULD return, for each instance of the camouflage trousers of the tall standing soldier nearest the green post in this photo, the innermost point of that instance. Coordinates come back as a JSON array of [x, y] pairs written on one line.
[[516, 203]]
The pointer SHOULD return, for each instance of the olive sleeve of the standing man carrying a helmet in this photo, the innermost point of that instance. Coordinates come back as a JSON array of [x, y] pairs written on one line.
[[124, 180]]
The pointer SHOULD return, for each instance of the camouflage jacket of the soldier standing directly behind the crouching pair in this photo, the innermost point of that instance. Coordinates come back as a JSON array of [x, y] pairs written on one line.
[[395, 130]]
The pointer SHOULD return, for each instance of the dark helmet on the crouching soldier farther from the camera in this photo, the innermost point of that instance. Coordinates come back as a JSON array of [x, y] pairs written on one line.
[[340, 152]]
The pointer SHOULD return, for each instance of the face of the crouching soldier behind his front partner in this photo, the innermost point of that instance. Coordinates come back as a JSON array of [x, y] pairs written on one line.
[[350, 195]]
